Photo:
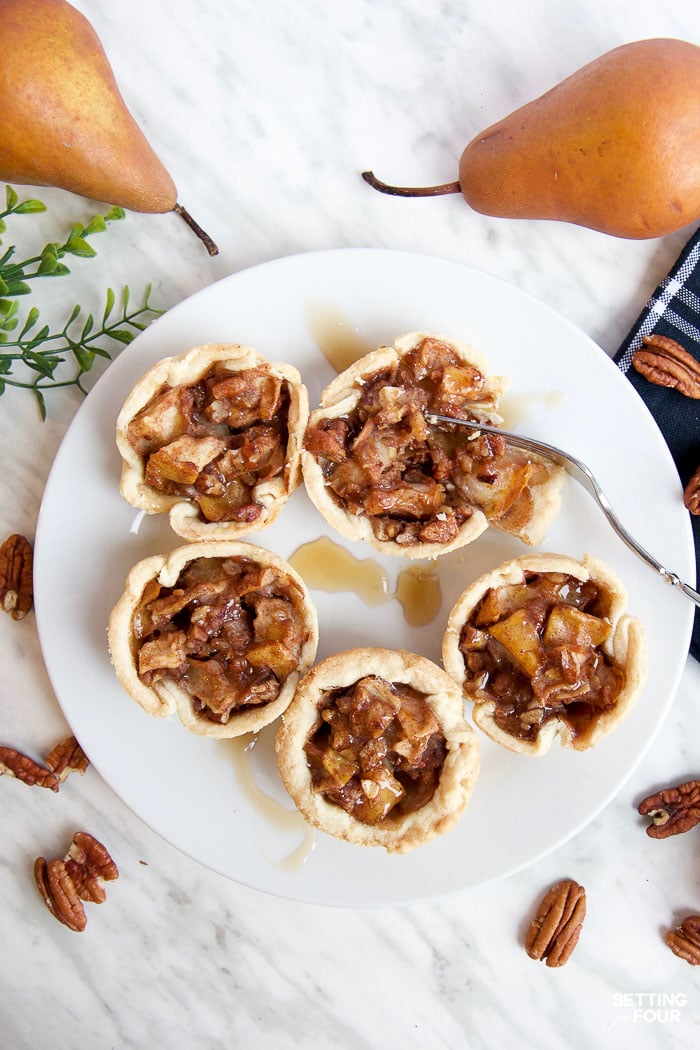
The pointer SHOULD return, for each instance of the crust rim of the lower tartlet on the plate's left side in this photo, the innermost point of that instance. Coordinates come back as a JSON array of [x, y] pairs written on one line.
[[167, 698]]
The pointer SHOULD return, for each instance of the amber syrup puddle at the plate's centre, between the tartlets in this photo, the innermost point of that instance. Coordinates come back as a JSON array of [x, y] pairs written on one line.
[[326, 565]]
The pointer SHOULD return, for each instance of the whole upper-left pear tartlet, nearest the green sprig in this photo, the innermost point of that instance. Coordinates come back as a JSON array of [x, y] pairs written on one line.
[[214, 438]]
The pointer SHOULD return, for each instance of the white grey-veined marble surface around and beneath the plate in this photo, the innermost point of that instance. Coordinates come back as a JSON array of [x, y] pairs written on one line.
[[266, 114]]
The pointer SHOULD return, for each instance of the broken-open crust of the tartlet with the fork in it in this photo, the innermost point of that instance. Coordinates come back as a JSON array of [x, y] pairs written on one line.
[[343, 397]]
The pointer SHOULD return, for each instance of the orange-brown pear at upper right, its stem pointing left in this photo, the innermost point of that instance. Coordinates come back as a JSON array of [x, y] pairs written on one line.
[[614, 148]]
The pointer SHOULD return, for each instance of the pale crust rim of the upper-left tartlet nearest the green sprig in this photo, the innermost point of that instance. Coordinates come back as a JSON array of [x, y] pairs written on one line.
[[186, 370]]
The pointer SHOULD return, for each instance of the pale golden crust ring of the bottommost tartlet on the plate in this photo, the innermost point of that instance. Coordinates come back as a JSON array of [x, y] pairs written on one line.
[[458, 773]]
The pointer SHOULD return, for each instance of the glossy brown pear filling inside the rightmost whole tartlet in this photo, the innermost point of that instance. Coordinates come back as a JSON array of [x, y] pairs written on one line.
[[536, 649]]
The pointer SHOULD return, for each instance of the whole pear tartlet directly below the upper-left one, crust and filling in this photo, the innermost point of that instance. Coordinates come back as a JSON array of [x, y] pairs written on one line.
[[218, 634]]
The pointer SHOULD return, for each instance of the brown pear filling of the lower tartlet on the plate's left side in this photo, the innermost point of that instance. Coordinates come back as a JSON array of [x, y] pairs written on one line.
[[229, 633]]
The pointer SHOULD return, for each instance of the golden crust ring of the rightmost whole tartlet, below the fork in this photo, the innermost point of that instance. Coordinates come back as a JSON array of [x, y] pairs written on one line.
[[626, 647]]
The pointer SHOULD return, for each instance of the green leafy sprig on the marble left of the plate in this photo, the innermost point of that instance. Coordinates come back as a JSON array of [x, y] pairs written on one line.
[[32, 361]]
